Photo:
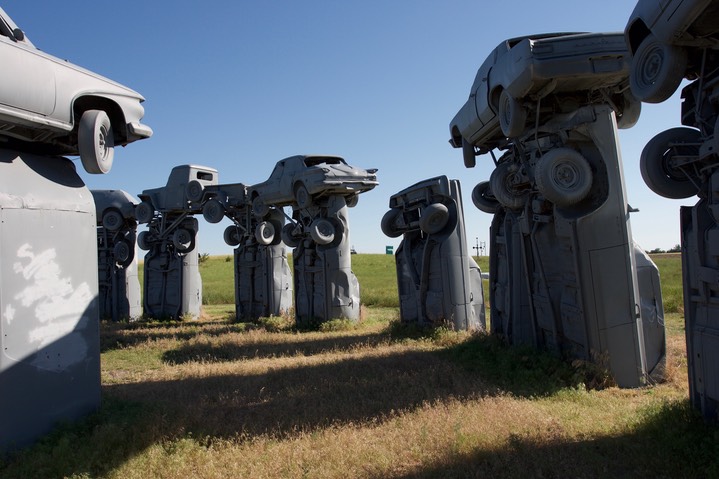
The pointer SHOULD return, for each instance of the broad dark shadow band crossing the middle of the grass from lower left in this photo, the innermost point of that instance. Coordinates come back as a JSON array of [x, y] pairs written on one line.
[[282, 402]]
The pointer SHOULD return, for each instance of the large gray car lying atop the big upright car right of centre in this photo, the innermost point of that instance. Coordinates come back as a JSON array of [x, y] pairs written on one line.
[[526, 80]]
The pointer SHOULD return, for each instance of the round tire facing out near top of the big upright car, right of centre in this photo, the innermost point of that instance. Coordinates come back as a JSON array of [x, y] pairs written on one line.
[[563, 176]]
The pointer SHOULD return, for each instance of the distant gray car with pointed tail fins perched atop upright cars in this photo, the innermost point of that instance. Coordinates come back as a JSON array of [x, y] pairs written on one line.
[[302, 178]]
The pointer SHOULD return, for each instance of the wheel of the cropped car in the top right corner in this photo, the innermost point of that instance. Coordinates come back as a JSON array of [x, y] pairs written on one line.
[[656, 70]]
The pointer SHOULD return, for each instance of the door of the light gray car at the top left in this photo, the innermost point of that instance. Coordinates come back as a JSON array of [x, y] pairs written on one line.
[[28, 77]]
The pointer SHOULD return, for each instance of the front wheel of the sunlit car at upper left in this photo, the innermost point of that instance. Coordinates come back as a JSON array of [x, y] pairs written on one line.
[[95, 142]]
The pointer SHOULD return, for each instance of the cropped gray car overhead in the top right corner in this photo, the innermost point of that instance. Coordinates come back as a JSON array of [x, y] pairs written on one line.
[[668, 40]]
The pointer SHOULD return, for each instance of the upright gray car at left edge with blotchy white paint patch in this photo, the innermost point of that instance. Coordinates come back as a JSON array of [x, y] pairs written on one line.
[[50, 358]]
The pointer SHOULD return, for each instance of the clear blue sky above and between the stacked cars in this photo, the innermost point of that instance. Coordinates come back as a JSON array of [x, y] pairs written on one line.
[[238, 85]]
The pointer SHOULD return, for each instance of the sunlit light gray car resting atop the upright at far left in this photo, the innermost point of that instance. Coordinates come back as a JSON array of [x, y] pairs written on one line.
[[51, 106]]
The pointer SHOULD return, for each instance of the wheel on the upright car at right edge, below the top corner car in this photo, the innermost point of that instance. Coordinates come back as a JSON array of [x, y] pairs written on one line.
[[658, 163]]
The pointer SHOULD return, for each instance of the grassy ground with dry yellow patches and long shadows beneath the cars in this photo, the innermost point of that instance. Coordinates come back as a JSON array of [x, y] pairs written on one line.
[[214, 398]]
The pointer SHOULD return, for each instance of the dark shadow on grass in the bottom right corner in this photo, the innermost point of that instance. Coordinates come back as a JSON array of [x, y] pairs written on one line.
[[669, 440]]
